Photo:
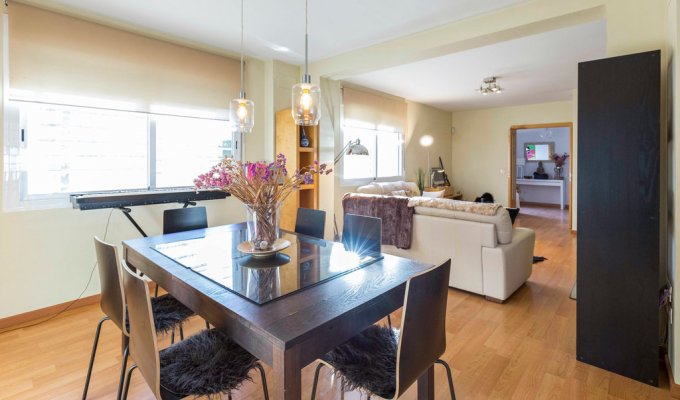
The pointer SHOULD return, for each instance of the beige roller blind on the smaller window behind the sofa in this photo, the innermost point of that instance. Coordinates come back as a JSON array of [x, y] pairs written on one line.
[[362, 107]]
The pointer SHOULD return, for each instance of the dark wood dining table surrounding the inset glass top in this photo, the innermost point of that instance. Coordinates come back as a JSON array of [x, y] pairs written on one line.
[[293, 331]]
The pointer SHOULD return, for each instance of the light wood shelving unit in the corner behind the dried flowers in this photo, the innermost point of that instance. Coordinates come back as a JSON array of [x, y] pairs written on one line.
[[288, 142]]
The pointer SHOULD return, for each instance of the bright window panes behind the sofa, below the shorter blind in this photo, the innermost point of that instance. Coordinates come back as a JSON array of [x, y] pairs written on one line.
[[385, 158]]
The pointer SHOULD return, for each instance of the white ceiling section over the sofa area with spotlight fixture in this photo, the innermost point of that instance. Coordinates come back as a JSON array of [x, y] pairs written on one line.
[[532, 69]]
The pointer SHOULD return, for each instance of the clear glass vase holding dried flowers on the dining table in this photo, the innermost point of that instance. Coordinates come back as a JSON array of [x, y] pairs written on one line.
[[263, 224]]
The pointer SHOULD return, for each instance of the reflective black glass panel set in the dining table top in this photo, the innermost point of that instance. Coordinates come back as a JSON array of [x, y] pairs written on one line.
[[307, 262]]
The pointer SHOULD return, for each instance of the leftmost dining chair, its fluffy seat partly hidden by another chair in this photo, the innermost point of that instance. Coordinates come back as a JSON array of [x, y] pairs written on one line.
[[168, 312]]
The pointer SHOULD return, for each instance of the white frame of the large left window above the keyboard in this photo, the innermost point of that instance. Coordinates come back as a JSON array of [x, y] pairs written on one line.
[[15, 197]]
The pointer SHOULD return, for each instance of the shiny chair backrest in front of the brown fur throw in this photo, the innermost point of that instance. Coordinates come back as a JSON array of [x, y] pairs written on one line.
[[361, 233]]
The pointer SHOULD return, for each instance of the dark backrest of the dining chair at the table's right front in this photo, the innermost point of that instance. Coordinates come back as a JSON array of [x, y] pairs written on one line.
[[422, 339]]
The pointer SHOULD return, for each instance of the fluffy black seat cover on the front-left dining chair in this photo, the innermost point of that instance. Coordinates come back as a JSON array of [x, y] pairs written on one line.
[[205, 364]]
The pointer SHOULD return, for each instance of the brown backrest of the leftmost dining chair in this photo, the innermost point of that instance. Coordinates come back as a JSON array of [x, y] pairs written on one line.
[[112, 299]]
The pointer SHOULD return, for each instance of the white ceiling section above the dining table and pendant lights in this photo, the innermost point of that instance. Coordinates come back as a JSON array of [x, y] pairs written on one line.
[[335, 27]]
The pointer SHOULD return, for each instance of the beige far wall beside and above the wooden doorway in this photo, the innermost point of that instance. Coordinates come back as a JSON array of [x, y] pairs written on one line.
[[481, 146]]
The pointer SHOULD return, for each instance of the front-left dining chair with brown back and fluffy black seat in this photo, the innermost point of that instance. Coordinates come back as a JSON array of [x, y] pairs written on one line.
[[206, 364]]
